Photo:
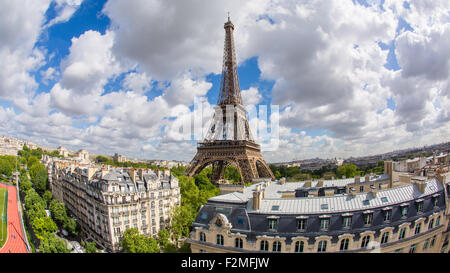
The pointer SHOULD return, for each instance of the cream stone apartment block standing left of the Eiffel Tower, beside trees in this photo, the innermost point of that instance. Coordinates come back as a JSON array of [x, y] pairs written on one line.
[[107, 201]]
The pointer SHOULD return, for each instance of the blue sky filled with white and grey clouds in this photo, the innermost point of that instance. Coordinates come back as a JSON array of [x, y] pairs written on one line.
[[351, 78]]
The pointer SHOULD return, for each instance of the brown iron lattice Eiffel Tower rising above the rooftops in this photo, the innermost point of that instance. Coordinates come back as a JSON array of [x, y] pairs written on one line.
[[229, 140]]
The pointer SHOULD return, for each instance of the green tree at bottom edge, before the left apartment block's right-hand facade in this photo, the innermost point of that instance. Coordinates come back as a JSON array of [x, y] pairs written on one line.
[[133, 242]]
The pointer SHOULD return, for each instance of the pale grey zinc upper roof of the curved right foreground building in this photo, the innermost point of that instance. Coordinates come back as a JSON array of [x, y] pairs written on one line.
[[345, 203]]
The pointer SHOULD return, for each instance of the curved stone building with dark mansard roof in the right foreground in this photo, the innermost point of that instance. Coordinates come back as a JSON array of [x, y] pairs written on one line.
[[370, 214]]
